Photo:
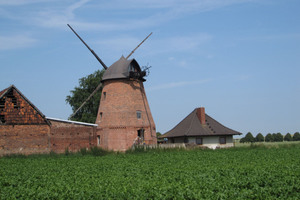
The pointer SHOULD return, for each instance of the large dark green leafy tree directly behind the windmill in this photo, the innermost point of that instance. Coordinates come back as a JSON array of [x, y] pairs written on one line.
[[87, 85]]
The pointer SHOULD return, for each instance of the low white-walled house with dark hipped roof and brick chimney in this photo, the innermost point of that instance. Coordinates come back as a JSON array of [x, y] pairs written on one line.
[[201, 129]]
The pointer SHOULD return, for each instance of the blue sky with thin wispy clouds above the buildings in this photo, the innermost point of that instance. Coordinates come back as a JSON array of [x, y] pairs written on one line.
[[240, 59]]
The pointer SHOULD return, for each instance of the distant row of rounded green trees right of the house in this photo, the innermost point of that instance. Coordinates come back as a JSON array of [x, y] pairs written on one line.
[[275, 137]]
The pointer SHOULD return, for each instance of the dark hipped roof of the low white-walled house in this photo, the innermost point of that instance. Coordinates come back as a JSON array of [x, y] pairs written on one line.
[[191, 126]]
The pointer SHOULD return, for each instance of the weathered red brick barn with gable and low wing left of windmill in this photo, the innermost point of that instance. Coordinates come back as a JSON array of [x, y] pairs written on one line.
[[25, 129]]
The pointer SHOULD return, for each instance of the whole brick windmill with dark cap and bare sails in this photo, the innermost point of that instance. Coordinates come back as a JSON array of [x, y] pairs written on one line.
[[124, 118]]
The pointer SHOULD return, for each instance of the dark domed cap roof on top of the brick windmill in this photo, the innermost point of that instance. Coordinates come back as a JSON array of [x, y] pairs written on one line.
[[120, 69]]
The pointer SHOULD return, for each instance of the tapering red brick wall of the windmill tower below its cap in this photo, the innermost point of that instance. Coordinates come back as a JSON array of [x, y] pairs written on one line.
[[117, 116]]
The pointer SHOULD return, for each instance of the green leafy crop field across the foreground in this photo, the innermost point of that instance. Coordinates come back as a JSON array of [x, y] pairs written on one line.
[[237, 173]]
